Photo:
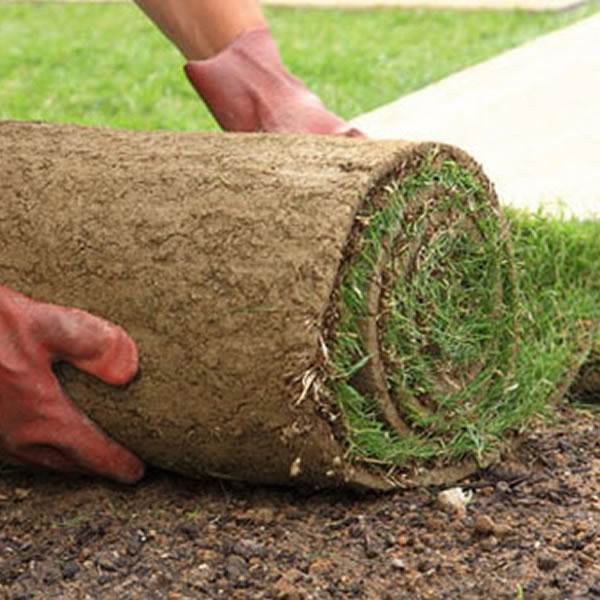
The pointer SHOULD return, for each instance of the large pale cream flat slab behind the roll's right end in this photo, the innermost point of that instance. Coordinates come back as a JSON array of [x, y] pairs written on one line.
[[530, 116]]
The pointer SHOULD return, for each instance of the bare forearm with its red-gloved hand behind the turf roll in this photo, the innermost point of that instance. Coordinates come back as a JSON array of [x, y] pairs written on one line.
[[235, 66]]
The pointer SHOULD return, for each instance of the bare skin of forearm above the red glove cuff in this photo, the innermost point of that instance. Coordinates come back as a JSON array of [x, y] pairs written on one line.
[[202, 28]]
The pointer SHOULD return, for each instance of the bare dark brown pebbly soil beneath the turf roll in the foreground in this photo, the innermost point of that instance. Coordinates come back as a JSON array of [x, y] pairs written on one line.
[[531, 530]]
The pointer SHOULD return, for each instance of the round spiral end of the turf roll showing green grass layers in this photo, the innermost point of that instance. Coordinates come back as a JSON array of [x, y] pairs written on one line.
[[425, 332]]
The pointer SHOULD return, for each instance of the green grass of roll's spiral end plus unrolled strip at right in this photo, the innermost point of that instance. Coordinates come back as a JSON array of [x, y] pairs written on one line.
[[476, 343]]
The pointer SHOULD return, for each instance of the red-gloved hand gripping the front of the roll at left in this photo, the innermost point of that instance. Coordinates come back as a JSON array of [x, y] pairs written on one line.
[[39, 425]]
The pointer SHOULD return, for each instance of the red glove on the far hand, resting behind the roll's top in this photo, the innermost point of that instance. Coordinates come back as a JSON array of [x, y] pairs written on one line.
[[247, 88]]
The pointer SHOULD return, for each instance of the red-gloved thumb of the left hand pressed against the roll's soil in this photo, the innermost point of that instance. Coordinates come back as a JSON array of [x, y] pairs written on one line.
[[88, 342]]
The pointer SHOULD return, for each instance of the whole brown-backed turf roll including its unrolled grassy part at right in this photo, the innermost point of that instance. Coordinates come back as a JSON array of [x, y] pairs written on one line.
[[309, 310]]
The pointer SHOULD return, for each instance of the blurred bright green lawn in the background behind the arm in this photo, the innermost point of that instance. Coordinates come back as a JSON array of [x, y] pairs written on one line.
[[107, 64]]
